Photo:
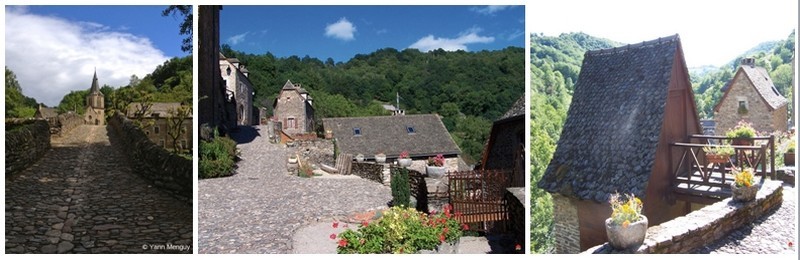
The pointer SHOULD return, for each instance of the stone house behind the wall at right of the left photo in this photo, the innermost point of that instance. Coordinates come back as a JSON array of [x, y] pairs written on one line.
[[156, 125]]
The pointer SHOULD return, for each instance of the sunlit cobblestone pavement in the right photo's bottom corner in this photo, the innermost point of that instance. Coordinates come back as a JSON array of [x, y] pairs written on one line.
[[770, 234]]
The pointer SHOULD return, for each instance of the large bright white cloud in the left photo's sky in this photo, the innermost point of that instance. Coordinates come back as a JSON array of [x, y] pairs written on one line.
[[52, 56]]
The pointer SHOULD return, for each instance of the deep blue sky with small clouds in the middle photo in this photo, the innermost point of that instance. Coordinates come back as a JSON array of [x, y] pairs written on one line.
[[341, 32]]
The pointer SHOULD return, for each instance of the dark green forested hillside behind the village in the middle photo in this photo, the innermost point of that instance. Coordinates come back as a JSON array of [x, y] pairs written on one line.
[[469, 89]]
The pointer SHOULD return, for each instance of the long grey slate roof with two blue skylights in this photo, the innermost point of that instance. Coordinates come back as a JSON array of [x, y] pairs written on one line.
[[389, 134]]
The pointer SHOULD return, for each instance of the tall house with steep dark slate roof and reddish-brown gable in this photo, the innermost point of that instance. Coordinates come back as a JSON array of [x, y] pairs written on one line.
[[630, 104]]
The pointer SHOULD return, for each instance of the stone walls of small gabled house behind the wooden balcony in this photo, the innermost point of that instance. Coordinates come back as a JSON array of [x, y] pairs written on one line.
[[758, 112]]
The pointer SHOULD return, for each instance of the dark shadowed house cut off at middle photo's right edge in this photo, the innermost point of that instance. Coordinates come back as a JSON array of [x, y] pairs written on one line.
[[505, 148]]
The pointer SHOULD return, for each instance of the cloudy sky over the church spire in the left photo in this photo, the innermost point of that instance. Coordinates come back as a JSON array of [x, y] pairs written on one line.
[[55, 49]]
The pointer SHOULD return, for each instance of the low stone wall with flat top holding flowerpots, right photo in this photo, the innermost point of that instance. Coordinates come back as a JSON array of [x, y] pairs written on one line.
[[688, 233]]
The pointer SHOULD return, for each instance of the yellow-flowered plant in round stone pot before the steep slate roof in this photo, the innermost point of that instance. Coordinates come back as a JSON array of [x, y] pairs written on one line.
[[626, 228]]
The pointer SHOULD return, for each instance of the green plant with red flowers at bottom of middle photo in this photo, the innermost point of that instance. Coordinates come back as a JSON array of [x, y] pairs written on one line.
[[401, 230]]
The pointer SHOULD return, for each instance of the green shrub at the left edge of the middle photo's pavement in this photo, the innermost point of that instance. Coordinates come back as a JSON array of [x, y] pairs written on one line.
[[217, 157]]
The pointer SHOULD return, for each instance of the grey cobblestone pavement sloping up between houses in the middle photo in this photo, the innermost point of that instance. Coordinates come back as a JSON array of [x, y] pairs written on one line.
[[259, 209]]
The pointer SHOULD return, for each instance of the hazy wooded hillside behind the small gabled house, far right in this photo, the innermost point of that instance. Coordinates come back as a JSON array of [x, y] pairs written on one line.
[[776, 57]]
